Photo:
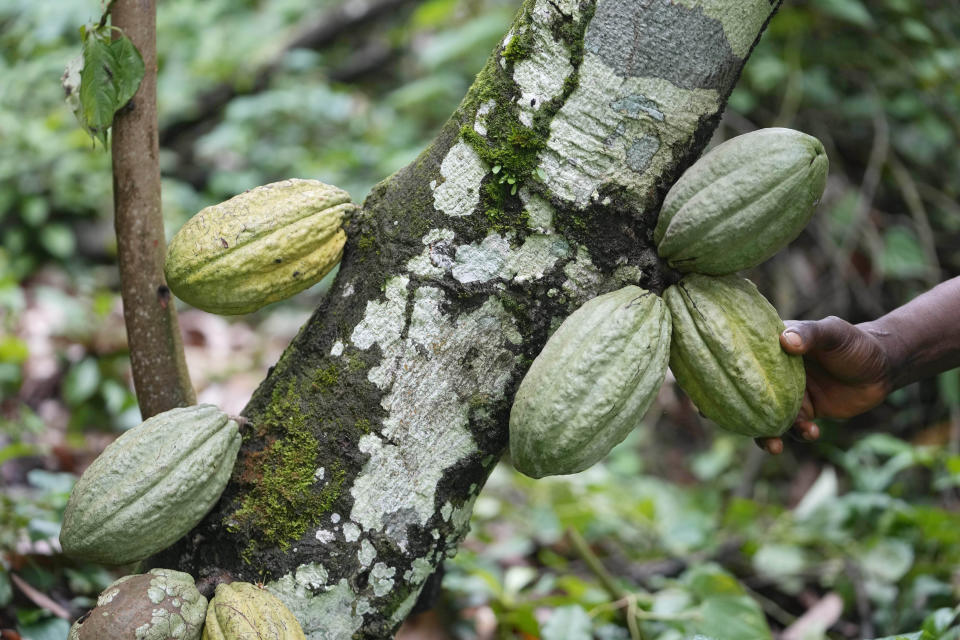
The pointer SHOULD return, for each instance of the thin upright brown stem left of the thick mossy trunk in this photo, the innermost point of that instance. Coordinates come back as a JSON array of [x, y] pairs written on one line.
[[156, 349]]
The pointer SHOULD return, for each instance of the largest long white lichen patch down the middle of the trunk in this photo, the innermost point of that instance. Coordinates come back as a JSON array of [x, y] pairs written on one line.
[[426, 428]]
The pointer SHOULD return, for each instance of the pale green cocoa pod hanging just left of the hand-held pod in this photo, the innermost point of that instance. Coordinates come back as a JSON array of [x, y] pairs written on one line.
[[591, 384]]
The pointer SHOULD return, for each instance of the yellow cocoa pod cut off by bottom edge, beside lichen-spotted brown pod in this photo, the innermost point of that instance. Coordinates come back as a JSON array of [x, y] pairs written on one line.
[[240, 610]]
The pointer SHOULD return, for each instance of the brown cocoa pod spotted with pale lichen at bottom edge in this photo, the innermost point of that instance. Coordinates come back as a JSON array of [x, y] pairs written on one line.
[[159, 605]]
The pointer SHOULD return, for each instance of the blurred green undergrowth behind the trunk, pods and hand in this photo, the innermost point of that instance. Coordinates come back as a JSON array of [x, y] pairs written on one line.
[[684, 530]]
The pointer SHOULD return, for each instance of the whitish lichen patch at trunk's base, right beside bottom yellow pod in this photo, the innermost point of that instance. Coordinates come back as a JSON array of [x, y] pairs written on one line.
[[324, 615]]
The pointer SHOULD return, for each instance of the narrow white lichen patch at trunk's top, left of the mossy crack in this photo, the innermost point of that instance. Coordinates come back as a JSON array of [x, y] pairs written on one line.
[[541, 75]]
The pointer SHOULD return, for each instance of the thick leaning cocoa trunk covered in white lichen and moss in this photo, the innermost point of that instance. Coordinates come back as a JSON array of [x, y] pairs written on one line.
[[372, 436]]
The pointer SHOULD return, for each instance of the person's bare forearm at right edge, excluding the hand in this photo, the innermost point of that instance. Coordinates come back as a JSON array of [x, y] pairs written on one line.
[[921, 338]]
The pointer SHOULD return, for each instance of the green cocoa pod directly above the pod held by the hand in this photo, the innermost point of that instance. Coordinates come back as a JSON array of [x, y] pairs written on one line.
[[742, 202]]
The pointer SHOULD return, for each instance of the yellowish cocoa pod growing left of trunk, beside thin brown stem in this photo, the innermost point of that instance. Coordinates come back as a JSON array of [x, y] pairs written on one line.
[[261, 246]]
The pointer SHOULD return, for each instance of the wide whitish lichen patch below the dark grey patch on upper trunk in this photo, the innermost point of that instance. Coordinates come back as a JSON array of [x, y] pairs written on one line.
[[619, 131]]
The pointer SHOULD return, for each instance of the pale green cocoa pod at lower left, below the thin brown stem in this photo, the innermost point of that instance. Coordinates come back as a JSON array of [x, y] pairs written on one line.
[[150, 486]]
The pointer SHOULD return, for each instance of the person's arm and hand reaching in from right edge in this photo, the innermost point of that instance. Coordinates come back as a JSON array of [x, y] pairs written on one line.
[[852, 368]]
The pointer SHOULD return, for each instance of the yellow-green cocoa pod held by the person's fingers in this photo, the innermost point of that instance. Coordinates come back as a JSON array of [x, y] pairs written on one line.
[[726, 355]]
